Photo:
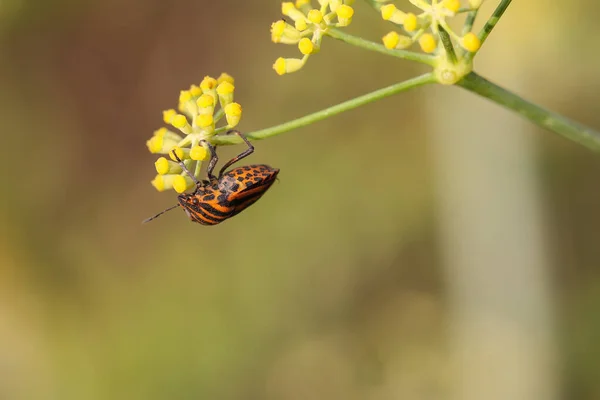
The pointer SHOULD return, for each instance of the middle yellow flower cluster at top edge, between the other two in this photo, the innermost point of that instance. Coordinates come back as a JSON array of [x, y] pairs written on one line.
[[309, 26]]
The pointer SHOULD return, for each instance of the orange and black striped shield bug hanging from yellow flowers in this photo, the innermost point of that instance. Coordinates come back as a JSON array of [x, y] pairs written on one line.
[[222, 197]]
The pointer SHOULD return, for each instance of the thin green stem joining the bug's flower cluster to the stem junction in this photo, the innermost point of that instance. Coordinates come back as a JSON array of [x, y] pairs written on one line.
[[328, 112]]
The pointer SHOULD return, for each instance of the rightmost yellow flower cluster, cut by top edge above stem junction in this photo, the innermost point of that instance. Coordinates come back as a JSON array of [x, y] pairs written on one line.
[[433, 16]]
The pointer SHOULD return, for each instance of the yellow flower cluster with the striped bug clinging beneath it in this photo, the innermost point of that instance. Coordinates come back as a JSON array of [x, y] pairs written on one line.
[[200, 109]]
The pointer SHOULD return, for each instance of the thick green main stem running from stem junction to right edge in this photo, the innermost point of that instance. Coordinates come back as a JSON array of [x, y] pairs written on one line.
[[540, 116]]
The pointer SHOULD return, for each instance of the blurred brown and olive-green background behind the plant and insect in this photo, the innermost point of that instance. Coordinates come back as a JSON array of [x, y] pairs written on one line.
[[428, 246]]
